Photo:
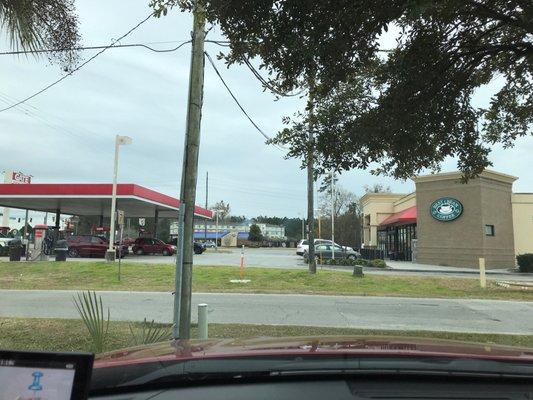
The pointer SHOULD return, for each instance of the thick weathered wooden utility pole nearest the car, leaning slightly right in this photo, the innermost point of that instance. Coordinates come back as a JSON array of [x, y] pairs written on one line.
[[189, 175]]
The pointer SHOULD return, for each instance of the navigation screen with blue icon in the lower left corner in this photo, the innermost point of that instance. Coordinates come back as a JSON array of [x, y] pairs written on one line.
[[36, 380]]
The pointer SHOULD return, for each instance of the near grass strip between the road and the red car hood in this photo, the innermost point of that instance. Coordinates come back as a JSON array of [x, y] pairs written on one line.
[[71, 334]]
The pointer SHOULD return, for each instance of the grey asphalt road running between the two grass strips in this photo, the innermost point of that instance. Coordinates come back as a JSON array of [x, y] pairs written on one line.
[[460, 315]]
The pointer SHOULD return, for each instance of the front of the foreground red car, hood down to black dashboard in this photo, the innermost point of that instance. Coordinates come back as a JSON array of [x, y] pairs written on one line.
[[314, 368]]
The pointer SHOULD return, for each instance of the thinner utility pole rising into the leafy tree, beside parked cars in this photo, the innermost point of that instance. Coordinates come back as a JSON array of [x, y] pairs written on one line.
[[310, 181]]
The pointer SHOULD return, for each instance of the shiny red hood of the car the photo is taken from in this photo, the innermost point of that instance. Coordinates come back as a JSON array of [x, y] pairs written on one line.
[[331, 345]]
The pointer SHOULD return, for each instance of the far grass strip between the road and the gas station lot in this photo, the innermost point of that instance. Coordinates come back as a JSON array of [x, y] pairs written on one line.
[[160, 277]]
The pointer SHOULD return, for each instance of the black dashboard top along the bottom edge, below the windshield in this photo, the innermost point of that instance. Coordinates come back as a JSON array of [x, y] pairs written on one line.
[[360, 388]]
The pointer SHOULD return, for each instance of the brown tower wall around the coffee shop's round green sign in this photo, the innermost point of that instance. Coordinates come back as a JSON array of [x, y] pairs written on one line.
[[462, 242]]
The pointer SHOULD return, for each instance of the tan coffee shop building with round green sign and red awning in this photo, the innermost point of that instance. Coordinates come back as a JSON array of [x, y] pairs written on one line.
[[448, 222]]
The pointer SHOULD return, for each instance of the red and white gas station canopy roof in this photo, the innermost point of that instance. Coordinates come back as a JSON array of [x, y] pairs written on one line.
[[92, 199]]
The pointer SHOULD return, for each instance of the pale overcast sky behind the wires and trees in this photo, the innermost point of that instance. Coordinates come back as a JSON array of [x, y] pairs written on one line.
[[67, 133]]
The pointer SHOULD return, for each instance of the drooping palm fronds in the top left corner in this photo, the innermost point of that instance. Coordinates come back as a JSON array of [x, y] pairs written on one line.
[[37, 24]]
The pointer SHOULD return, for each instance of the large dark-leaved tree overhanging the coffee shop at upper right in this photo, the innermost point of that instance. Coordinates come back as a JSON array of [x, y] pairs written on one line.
[[401, 111]]
